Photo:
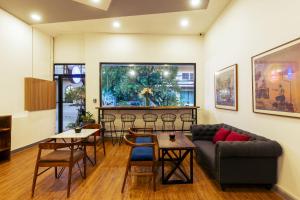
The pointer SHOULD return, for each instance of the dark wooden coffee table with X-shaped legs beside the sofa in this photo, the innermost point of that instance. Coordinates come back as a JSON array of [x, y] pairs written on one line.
[[174, 152]]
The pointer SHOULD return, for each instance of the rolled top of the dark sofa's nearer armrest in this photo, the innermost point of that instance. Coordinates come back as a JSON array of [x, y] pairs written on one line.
[[248, 149]]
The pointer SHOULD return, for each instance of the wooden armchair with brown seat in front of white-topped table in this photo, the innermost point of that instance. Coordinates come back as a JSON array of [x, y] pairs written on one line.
[[62, 155]]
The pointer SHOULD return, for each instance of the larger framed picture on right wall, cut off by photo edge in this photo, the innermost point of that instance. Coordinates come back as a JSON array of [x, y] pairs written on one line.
[[276, 80]]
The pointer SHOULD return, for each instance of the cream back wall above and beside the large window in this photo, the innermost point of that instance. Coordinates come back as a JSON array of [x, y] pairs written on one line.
[[95, 48]]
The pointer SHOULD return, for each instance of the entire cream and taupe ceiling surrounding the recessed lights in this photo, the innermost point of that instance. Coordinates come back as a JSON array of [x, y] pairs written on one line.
[[135, 16]]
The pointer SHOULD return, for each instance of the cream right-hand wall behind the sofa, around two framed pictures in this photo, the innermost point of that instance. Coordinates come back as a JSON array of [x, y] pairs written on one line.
[[246, 28]]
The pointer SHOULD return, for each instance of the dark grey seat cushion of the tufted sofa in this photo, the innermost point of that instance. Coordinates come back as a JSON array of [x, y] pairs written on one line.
[[205, 151]]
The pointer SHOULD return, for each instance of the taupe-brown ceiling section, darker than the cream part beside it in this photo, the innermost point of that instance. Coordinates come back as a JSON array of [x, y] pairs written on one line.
[[73, 10]]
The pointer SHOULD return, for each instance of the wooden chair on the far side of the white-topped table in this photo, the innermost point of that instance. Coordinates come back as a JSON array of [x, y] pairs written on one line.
[[96, 139]]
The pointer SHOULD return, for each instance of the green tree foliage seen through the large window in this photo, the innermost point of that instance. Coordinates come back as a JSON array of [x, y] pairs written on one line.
[[123, 84]]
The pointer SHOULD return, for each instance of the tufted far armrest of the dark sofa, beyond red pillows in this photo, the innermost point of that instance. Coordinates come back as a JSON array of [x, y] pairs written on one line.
[[204, 132]]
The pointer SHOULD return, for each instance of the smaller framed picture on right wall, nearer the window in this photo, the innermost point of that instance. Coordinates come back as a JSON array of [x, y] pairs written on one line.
[[226, 94]]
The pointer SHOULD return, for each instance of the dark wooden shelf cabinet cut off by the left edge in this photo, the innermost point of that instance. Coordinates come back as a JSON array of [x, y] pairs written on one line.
[[5, 137]]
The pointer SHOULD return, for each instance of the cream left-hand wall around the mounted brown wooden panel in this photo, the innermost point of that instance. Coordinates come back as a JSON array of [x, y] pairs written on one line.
[[24, 52]]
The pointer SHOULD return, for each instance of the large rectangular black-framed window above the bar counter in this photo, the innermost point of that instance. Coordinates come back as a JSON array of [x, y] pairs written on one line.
[[124, 84]]
